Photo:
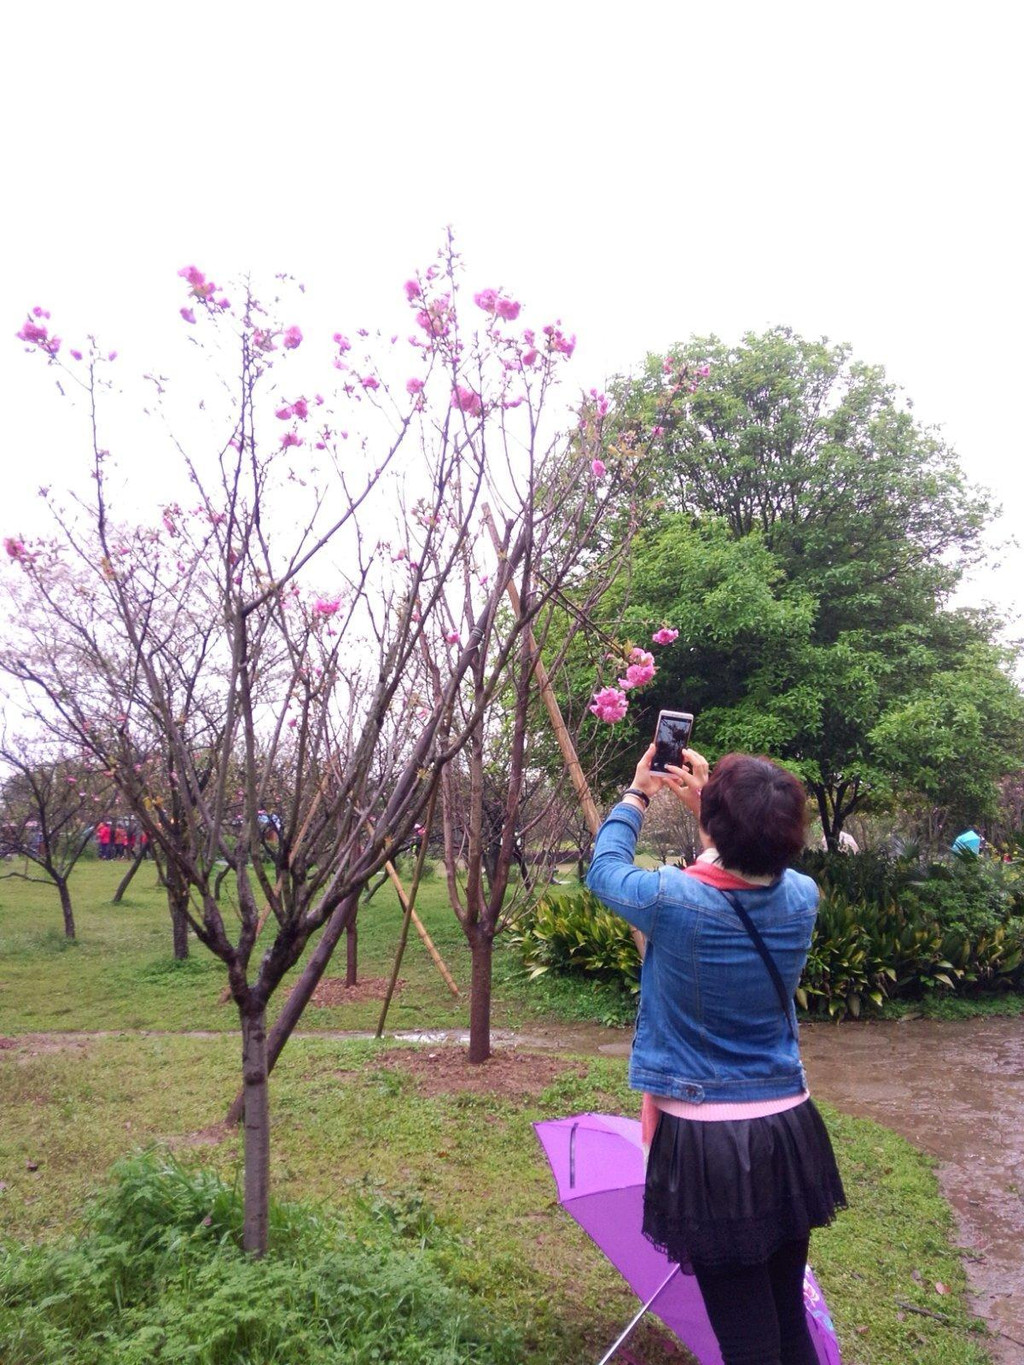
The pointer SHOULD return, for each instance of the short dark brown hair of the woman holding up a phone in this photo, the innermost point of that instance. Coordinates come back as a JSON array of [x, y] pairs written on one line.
[[756, 814]]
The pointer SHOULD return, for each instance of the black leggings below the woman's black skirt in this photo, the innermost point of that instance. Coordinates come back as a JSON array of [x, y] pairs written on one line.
[[758, 1311]]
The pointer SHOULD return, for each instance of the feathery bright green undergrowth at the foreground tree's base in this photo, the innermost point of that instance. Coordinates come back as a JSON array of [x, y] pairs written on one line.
[[159, 1277]]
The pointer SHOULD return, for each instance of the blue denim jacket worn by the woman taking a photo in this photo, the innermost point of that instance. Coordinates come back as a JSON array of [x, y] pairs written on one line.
[[711, 1024]]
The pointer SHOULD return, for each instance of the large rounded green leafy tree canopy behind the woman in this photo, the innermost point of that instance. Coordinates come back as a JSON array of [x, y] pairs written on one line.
[[809, 538]]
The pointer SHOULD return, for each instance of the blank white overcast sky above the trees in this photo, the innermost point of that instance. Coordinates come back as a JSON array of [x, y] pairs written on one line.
[[642, 171]]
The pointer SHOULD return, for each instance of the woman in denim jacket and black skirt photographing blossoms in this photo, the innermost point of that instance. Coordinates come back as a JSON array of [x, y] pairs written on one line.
[[741, 1165]]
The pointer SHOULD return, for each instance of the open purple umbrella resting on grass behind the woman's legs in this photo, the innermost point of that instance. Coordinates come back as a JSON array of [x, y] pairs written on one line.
[[599, 1168]]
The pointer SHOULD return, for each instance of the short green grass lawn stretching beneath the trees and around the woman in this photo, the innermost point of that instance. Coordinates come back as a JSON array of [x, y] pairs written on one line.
[[358, 1132]]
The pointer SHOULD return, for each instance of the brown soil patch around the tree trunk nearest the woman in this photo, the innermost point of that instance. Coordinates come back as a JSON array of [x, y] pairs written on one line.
[[450, 1072]]
